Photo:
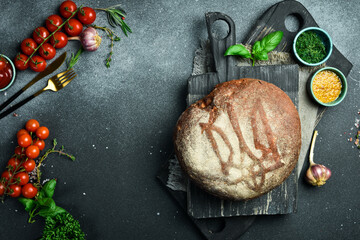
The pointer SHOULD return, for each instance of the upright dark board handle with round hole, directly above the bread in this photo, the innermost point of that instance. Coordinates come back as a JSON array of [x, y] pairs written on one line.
[[223, 65]]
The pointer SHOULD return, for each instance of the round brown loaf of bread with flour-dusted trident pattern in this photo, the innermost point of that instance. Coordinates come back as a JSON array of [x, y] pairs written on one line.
[[240, 141]]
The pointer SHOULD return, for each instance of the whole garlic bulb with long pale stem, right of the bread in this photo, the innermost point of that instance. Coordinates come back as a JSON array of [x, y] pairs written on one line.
[[317, 174]]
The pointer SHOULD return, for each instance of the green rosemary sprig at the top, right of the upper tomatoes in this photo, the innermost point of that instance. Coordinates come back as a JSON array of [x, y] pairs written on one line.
[[116, 16]]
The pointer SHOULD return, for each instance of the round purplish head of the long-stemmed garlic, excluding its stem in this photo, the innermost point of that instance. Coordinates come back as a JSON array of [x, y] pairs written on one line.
[[317, 175]]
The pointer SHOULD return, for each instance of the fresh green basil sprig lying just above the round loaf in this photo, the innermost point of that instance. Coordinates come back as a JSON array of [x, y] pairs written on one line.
[[260, 48]]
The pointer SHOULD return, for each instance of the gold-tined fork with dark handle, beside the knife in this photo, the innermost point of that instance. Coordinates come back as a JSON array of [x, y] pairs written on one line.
[[55, 83]]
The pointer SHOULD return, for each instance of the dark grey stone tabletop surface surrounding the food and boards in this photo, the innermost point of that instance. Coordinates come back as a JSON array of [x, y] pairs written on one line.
[[118, 122]]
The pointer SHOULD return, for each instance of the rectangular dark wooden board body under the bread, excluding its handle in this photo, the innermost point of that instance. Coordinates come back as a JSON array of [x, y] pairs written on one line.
[[280, 200]]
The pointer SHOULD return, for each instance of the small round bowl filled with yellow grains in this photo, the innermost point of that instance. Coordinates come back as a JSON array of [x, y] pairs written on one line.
[[328, 86]]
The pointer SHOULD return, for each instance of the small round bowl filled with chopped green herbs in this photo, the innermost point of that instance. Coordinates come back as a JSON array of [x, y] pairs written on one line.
[[312, 46]]
